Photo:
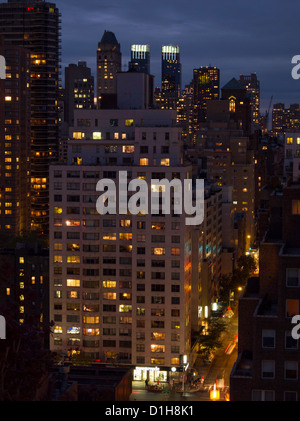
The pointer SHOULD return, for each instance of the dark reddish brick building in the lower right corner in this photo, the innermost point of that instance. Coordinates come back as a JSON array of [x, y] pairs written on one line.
[[267, 367]]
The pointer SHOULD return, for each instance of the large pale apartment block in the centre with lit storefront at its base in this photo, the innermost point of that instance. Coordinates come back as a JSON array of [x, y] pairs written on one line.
[[120, 285]]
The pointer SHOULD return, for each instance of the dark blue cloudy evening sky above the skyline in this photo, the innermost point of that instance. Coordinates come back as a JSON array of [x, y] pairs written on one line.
[[239, 37]]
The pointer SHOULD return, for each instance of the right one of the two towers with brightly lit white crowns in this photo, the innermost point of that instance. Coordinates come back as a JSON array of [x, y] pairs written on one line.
[[170, 75]]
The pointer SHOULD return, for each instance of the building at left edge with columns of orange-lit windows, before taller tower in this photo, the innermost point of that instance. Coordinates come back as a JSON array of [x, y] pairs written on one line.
[[15, 149]]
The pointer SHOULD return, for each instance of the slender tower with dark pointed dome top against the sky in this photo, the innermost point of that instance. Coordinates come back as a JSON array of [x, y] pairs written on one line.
[[109, 63]]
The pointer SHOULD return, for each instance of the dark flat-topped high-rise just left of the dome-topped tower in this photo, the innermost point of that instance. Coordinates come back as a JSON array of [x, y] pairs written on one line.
[[79, 90]]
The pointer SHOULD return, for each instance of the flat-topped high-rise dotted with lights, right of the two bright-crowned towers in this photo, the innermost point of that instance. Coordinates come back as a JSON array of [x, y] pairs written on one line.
[[206, 87]]
